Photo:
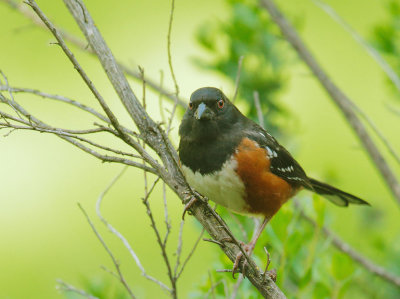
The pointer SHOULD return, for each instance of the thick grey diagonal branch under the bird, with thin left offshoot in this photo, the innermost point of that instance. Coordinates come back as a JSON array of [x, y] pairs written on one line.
[[156, 138]]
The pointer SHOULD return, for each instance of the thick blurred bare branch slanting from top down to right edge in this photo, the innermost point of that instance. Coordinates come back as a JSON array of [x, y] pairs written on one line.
[[340, 99]]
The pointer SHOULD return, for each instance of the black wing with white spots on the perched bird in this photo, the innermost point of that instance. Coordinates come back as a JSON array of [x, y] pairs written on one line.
[[282, 162]]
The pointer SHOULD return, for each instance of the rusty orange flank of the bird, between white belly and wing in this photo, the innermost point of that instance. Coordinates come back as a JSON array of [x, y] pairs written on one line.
[[265, 191]]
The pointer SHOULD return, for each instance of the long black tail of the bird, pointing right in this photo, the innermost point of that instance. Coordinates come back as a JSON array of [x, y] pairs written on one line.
[[338, 197]]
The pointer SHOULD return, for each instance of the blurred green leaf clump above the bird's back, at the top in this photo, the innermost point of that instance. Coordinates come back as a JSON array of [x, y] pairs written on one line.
[[249, 33]]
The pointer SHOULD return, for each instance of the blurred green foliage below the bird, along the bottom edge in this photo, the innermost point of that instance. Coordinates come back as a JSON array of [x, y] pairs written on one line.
[[307, 265]]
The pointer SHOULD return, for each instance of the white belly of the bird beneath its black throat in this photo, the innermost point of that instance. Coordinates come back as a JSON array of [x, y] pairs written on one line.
[[223, 187]]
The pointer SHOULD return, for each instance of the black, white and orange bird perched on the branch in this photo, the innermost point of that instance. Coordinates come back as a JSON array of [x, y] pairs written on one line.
[[234, 162]]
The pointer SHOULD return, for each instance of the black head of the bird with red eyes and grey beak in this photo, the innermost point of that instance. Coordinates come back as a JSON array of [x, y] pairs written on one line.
[[209, 114]]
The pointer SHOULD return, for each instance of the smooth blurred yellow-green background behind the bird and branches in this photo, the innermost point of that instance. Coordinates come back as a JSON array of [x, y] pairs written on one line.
[[44, 236]]
